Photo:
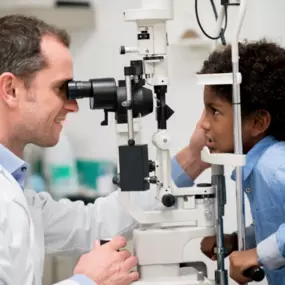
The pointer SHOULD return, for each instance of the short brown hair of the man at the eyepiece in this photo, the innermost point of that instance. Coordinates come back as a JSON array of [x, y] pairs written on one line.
[[20, 39]]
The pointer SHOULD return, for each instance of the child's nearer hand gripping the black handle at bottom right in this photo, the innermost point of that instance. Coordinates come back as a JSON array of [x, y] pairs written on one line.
[[239, 262]]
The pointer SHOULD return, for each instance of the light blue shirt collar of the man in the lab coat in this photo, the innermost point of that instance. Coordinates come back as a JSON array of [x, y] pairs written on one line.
[[13, 164]]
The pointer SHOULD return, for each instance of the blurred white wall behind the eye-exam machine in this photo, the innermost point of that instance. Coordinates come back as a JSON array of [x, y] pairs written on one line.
[[96, 55]]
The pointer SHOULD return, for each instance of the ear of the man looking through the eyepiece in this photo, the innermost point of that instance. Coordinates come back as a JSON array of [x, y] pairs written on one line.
[[8, 89]]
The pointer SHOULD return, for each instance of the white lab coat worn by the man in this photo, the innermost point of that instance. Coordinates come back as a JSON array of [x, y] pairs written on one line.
[[33, 224]]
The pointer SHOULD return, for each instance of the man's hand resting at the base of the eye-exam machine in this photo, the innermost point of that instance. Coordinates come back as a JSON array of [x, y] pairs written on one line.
[[105, 265]]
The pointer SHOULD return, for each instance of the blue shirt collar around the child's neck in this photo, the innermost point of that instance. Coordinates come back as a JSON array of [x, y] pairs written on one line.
[[254, 154]]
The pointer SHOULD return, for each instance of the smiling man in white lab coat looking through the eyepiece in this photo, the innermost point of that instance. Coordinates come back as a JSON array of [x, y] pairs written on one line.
[[35, 64]]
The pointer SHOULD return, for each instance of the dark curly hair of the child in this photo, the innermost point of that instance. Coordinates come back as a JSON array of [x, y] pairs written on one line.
[[262, 66]]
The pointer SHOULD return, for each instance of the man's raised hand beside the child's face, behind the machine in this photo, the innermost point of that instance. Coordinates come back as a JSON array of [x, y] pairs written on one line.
[[190, 157]]
